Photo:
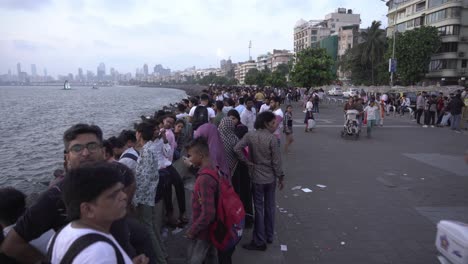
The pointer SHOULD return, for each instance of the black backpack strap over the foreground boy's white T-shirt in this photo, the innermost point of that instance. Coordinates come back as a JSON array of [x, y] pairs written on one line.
[[85, 241]]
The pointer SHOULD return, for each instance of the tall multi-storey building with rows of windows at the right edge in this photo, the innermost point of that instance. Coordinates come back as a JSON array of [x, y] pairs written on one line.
[[450, 17]]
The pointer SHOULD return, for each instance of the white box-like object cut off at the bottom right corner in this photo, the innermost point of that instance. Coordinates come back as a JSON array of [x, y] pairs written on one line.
[[452, 241]]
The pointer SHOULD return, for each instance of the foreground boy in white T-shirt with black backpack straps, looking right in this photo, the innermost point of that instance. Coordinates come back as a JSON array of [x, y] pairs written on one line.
[[92, 213]]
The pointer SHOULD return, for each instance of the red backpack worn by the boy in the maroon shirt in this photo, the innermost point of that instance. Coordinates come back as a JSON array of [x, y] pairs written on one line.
[[226, 230]]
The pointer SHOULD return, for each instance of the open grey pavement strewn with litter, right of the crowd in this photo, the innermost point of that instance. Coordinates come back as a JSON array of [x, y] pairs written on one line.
[[382, 196]]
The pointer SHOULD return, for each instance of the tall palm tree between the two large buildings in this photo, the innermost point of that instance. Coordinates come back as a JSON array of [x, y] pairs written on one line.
[[373, 45]]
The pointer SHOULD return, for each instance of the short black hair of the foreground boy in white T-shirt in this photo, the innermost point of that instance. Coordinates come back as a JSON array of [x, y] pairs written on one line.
[[86, 183]]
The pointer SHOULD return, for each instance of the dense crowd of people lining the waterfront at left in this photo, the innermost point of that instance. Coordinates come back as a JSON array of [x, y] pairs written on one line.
[[108, 205]]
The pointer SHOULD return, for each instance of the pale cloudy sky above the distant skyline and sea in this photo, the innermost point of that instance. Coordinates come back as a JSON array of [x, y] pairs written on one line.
[[63, 35]]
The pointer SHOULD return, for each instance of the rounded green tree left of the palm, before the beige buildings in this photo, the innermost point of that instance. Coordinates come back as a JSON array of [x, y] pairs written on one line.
[[313, 68]]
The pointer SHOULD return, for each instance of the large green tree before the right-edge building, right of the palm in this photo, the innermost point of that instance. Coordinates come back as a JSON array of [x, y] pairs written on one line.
[[413, 51]]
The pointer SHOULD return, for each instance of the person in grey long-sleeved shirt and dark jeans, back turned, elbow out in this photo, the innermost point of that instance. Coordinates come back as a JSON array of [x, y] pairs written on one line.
[[266, 172]]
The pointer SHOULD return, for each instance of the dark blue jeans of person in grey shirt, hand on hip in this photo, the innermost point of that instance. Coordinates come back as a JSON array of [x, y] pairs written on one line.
[[264, 202]]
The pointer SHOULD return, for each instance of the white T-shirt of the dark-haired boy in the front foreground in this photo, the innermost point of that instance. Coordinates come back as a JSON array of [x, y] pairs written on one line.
[[97, 253]]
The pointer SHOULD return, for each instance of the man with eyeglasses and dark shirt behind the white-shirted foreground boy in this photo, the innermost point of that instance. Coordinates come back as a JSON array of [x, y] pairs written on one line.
[[83, 145]]
